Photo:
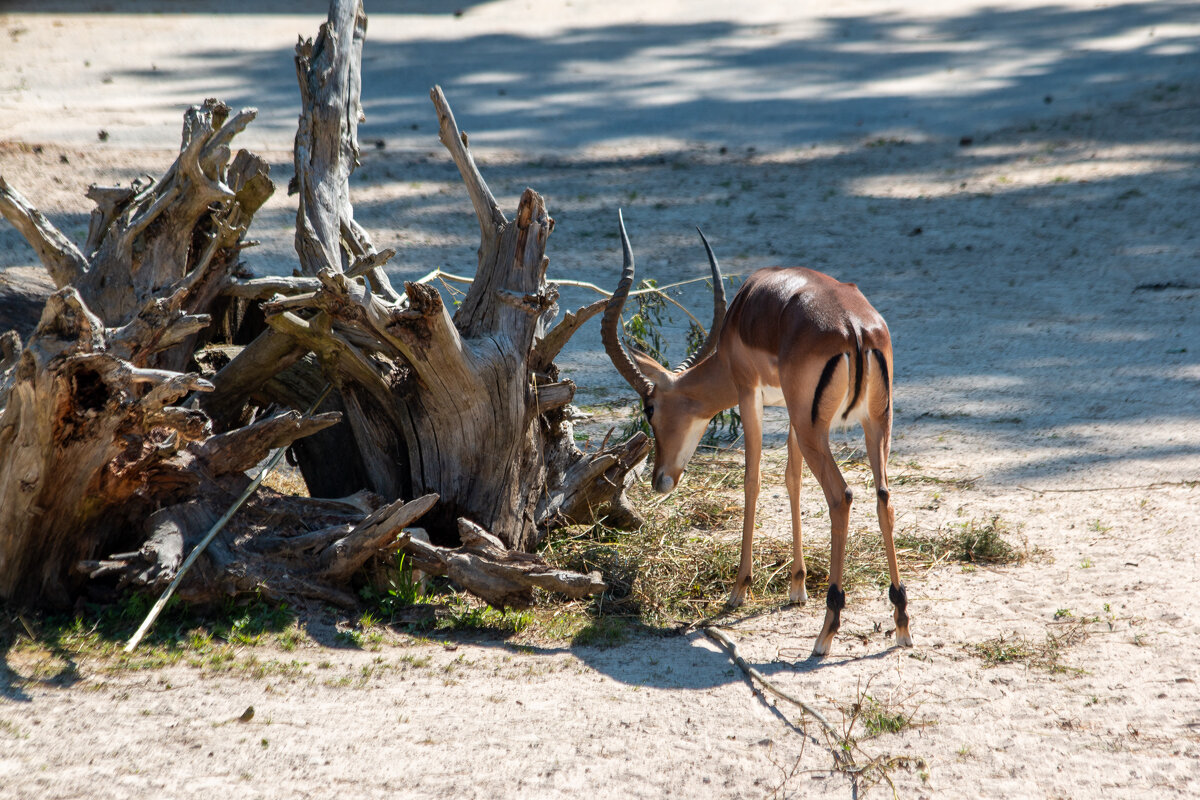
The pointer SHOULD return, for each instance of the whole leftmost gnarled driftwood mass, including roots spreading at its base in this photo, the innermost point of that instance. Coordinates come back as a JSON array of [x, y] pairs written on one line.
[[97, 458]]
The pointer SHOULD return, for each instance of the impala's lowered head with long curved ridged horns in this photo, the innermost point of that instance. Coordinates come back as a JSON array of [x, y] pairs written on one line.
[[677, 410]]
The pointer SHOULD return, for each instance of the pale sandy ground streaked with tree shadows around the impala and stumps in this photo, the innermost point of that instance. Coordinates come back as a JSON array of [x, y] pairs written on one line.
[[1041, 282]]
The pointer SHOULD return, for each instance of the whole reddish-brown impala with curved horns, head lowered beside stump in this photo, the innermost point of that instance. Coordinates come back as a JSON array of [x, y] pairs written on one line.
[[791, 338]]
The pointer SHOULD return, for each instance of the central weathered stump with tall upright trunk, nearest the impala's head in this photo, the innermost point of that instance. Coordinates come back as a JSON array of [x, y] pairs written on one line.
[[472, 407]]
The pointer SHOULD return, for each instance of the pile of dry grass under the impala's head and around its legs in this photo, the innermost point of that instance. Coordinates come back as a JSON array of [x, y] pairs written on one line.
[[682, 564]]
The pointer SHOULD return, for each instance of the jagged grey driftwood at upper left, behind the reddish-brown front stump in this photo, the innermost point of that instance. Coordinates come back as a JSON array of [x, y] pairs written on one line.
[[160, 248]]
